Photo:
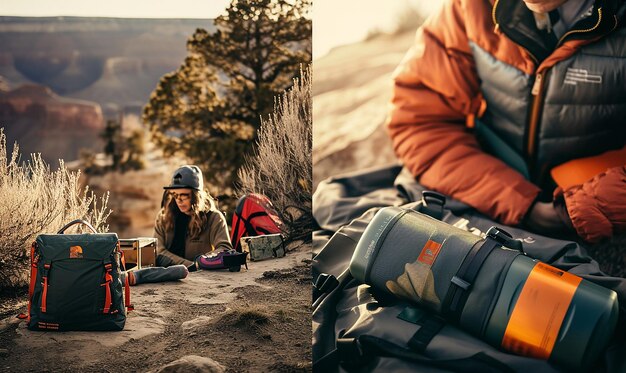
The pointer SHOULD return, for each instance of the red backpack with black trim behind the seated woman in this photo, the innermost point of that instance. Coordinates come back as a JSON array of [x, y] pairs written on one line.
[[254, 216]]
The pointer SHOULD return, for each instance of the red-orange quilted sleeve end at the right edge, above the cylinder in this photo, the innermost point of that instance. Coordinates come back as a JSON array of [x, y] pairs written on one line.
[[597, 207]]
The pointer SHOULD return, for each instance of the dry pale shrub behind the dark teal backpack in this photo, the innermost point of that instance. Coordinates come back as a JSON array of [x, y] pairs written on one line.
[[33, 200]]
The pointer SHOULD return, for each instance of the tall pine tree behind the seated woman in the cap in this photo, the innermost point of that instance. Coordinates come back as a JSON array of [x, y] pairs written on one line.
[[210, 108]]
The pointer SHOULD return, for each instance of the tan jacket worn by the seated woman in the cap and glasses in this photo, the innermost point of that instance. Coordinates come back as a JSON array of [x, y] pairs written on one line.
[[214, 236]]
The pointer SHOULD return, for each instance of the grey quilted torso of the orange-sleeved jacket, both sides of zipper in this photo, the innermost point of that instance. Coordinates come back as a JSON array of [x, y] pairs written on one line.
[[583, 103]]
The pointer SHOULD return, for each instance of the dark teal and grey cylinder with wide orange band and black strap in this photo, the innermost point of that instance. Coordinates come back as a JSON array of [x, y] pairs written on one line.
[[487, 286]]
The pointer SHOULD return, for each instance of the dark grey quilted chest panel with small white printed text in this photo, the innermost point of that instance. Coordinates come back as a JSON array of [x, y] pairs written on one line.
[[585, 103]]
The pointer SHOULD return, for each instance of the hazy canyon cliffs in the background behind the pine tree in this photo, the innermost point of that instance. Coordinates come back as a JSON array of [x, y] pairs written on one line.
[[80, 72]]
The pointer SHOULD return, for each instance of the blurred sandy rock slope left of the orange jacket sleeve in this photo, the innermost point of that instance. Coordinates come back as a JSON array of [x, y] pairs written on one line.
[[351, 91]]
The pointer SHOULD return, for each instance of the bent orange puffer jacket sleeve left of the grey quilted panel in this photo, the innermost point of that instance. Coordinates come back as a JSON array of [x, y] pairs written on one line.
[[435, 87]]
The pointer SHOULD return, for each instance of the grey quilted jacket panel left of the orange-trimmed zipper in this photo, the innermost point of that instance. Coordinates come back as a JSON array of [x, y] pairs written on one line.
[[506, 91]]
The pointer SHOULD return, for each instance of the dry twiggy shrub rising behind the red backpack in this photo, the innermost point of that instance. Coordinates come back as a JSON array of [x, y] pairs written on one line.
[[281, 167]]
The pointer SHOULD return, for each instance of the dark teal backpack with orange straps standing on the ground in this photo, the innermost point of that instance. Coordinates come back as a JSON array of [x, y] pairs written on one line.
[[76, 282]]
